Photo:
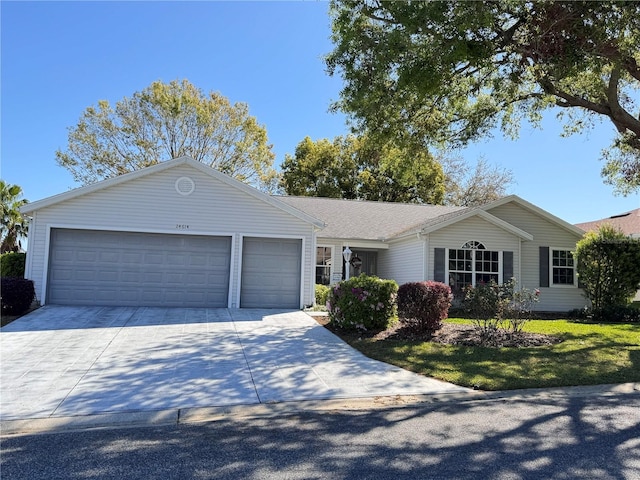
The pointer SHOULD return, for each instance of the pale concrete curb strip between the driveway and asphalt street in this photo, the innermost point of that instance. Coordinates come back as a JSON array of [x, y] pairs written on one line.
[[196, 415]]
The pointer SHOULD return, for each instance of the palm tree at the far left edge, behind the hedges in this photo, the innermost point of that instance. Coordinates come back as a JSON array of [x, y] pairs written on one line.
[[14, 226]]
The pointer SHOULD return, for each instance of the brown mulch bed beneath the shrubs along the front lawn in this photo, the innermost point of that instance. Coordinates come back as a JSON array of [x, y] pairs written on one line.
[[449, 334]]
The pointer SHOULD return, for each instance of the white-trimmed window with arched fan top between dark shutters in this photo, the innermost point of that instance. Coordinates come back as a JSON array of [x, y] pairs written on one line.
[[471, 265]]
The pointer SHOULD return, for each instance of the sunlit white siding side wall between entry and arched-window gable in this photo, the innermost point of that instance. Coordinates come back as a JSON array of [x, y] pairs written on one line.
[[403, 261]]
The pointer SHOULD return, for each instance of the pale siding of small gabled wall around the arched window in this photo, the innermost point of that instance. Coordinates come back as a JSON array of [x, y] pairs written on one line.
[[475, 228]]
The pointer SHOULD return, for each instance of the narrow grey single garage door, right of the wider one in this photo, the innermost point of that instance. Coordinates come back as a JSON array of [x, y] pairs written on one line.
[[270, 273]]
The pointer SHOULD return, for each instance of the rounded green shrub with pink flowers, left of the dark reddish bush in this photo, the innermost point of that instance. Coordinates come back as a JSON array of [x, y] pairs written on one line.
[[363, 303]]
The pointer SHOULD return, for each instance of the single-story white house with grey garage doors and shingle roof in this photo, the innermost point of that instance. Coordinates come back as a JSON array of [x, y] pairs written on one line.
[[182, 234]]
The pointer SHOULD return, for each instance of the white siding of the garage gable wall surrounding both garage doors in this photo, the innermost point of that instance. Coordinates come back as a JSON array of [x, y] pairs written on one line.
[[152, 204]]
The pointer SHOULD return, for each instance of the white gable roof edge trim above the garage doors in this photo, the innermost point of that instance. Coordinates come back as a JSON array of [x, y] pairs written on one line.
[[128, 177]]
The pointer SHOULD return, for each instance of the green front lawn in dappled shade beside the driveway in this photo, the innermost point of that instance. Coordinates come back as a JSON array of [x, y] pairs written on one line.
[[590, 354]]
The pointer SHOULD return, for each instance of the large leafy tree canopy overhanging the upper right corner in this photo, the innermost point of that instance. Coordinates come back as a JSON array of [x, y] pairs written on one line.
[[449, 72]]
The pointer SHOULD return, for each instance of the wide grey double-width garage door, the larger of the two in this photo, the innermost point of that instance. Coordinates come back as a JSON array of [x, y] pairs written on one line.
[[88, 267]]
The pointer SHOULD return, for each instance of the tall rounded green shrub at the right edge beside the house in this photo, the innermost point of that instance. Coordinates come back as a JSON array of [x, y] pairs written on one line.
[[608, 265]]
